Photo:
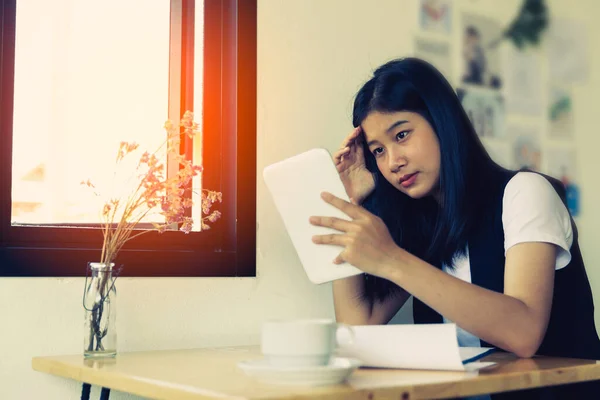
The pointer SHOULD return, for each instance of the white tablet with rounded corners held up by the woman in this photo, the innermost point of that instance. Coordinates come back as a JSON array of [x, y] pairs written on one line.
[[296, 184]]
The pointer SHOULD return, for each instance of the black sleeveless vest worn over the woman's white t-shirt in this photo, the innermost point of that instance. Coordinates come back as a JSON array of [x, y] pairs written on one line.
[[571, 330]]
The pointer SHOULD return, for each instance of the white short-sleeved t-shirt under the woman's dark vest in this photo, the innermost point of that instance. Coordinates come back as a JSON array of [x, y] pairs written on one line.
[[532, 211]]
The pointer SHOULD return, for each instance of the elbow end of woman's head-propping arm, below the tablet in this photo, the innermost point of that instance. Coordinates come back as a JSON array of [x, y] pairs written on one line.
[[353, 308]]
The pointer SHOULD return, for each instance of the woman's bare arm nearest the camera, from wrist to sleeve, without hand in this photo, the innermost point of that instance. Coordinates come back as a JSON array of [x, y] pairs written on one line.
[[515, 320]]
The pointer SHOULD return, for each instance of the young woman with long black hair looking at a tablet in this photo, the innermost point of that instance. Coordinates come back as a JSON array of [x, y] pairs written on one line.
[[494, 251]]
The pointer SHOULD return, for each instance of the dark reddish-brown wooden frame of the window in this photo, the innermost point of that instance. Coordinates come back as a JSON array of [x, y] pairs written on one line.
[[229, 159]]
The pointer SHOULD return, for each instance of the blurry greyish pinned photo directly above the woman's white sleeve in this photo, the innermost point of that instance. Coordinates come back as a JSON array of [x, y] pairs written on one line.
[[527, 151]]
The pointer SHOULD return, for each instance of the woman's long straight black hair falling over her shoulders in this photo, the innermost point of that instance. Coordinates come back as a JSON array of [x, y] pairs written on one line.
[[434, 232]]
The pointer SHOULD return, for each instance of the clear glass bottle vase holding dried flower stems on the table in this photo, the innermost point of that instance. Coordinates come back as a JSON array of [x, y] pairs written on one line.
[[100, 304]]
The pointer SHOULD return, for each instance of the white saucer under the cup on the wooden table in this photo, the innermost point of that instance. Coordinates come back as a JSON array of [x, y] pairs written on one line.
[[338, 369]]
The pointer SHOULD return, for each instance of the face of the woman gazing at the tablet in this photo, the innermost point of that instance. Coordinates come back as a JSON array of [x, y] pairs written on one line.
[[407, 151]]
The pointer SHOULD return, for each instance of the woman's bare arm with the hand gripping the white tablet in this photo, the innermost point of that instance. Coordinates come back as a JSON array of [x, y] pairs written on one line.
[[515, 320]]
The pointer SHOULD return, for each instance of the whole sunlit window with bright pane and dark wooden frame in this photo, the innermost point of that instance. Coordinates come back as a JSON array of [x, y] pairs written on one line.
[[174, 56]]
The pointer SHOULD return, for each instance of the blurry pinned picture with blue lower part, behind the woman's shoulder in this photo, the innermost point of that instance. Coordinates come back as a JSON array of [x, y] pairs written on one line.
[[562, 165]]
